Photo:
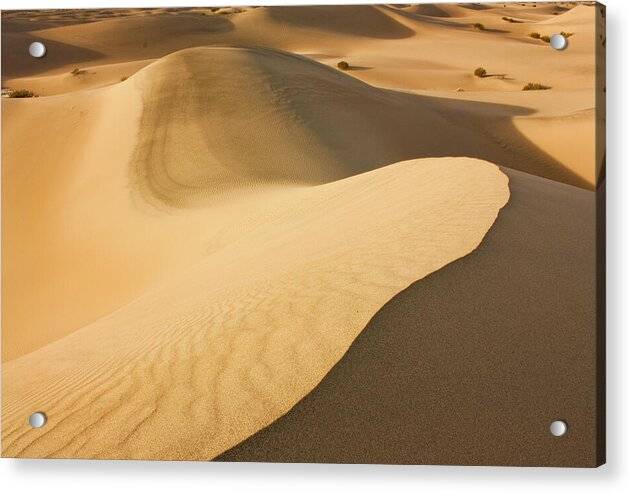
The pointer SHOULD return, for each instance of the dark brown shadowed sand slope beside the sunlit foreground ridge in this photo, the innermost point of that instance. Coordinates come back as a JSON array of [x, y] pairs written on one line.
[[468, 365]]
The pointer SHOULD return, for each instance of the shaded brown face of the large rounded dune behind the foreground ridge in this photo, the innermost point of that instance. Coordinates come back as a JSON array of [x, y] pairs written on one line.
[[309, 123]]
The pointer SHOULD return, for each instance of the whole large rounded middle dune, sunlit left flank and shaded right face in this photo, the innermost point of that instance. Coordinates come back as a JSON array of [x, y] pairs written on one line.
[[292, 122]]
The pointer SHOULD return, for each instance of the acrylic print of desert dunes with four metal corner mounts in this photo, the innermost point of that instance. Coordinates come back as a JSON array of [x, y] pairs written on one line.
[[366, 234]]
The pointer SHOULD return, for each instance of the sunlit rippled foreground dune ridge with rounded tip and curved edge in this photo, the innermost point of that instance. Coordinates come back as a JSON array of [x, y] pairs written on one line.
[[192, 368]]
